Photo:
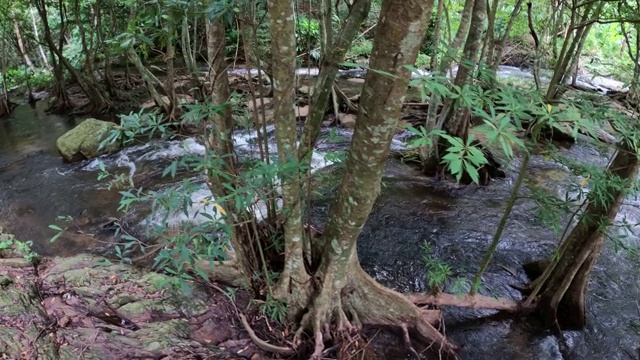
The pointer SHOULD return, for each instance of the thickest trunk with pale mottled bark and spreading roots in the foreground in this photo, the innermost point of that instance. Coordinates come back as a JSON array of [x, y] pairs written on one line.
[[343, 294]]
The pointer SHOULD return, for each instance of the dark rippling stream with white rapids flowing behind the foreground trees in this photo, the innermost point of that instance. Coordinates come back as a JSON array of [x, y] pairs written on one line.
[[458, 222]]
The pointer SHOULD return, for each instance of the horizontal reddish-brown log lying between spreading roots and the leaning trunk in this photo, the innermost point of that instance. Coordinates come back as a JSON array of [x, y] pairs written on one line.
[[475, 301]]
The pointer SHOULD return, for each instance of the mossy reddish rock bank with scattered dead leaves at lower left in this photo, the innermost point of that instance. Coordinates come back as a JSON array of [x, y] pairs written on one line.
[[85, 307]]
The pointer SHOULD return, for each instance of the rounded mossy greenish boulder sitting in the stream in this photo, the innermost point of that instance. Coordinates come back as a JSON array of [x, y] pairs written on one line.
[[83, 141]]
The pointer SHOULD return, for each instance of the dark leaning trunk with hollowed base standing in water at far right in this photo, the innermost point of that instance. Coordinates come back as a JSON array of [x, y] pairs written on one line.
[[559, 293]]
